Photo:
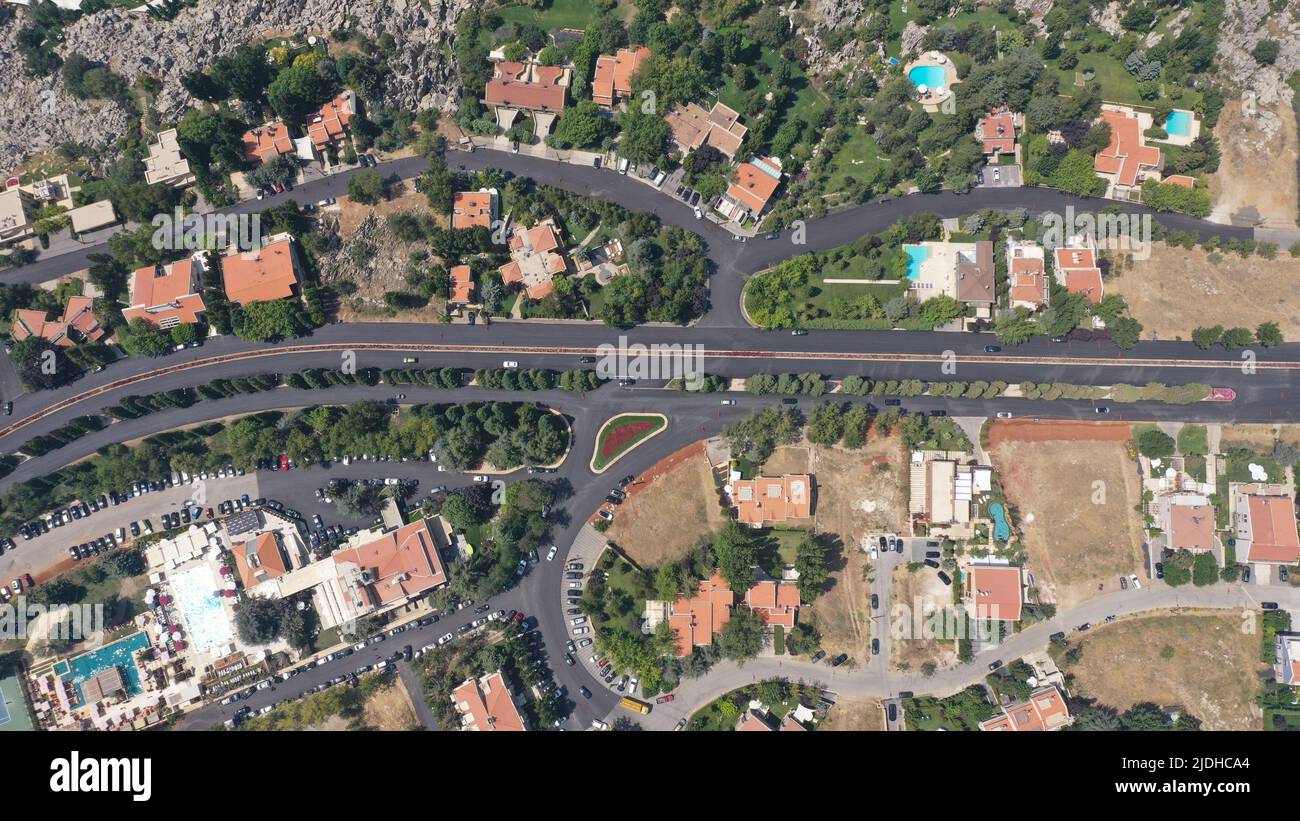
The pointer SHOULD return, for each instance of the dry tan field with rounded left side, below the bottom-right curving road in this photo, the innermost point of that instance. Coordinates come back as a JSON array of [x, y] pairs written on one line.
[[1204, 662]]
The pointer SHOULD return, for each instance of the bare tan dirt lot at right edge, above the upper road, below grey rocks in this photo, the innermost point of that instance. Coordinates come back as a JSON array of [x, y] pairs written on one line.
[[1256, 181]]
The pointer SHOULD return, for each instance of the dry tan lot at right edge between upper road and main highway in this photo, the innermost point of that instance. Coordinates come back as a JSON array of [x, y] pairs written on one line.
[[1178, 290]]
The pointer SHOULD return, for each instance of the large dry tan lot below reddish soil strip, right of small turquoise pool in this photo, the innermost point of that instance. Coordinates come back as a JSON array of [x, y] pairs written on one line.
[[1076, 506]]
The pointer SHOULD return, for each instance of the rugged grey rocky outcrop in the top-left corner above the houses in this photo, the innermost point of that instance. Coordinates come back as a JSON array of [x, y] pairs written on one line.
[[135, 45]]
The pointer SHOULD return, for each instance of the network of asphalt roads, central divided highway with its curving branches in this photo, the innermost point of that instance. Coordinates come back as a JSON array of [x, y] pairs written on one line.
[[735, 350]]
